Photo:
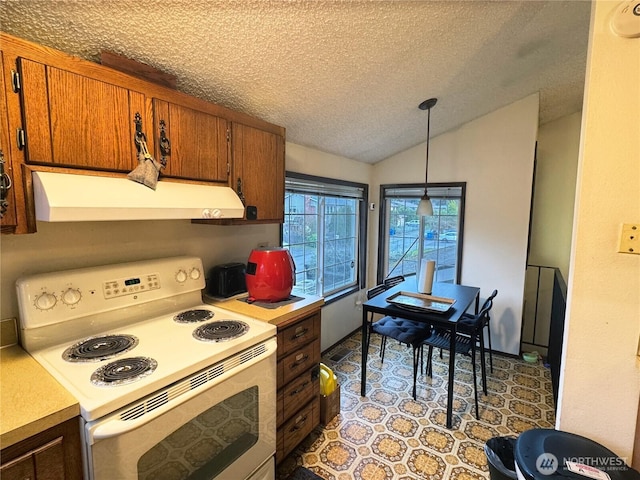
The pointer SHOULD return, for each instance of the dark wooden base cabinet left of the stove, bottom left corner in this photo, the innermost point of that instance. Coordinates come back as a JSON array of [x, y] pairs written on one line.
[[54, 454]]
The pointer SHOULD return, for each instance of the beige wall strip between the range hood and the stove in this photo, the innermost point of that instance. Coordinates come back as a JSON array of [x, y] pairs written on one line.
[[61, 246]]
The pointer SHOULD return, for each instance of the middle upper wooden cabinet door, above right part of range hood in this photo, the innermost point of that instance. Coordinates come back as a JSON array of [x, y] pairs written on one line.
[[198, 141]]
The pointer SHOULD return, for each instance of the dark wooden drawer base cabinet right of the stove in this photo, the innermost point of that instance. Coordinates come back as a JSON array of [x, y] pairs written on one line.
[[298, 401]]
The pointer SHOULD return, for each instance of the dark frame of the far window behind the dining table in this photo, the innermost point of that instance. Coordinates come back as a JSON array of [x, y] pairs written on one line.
[[383, 237]]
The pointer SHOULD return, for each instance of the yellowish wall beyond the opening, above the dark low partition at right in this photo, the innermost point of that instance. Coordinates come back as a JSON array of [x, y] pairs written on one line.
[[557, 165]]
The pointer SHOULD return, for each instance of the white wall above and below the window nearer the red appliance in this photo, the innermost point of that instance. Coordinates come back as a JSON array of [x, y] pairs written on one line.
[[343, 316]]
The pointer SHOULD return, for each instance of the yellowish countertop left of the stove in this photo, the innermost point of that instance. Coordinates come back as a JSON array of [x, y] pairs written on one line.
[[31, 400]]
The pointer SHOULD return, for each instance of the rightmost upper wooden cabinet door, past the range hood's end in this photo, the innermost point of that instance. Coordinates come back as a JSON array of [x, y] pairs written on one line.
[[258, 171]]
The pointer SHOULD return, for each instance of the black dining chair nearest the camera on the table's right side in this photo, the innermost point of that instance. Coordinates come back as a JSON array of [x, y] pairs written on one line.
[[468, 338]]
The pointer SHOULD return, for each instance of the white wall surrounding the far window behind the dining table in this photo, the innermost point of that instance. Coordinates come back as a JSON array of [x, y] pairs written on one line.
[[494, 155]]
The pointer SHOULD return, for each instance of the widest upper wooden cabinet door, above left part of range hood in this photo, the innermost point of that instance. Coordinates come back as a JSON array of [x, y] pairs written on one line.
[[76, 121]]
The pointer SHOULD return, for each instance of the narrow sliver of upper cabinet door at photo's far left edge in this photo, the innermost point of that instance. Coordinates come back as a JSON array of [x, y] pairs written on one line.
[[8, 219]]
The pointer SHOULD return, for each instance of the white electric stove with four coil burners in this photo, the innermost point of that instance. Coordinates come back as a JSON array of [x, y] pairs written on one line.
[[146, 358]]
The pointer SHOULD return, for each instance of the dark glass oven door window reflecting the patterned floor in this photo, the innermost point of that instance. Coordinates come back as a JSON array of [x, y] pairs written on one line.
[[207, 444]]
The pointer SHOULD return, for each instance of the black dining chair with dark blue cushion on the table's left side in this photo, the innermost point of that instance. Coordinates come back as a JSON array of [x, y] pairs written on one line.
[[404, 331]]
